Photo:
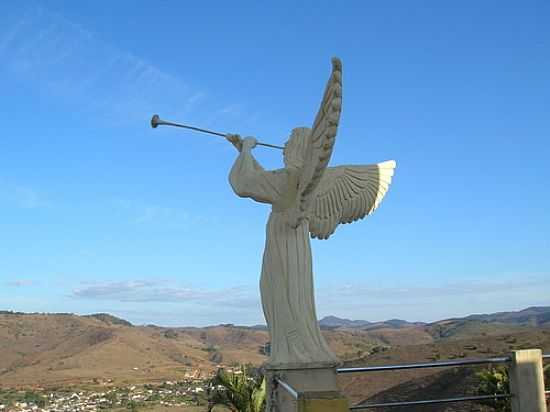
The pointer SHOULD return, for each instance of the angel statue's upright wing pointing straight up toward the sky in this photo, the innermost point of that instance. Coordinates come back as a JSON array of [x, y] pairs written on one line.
[[323, 133]]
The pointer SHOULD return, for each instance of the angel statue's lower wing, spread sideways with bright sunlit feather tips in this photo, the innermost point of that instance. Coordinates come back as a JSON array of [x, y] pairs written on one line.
[[346, 194]]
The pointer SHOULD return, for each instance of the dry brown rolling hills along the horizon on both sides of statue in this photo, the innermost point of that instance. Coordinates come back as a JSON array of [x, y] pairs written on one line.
[[60, 349]]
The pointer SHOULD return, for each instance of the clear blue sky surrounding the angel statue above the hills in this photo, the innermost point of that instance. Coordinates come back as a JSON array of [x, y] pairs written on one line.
[[100, 213]]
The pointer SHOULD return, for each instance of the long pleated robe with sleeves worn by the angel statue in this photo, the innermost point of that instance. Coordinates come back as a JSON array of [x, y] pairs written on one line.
[[286, 283]]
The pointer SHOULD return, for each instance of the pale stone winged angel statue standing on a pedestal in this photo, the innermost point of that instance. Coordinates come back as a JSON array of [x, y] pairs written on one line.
[[307, 199]]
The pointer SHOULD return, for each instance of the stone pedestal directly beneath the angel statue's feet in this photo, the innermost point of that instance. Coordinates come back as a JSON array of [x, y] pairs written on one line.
[[315, 385]]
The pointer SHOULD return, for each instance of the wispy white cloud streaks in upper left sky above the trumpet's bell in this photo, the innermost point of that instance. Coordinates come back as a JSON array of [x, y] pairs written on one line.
[[69, 60]]
